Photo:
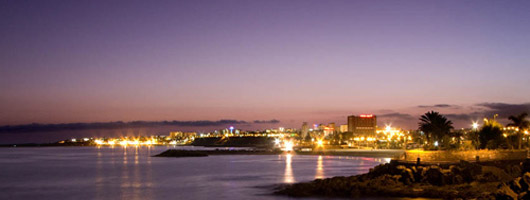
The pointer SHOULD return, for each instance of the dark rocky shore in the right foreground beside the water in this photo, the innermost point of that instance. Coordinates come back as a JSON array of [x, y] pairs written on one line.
[[463, 180]]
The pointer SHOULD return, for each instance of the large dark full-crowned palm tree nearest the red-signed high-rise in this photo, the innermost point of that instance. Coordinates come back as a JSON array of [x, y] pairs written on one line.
[[435, 126]]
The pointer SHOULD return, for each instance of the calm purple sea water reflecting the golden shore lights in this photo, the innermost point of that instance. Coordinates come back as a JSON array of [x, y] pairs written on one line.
[[131, 173]]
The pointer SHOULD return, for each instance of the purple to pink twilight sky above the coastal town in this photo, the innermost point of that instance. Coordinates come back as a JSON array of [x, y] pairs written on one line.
[[315, 61]]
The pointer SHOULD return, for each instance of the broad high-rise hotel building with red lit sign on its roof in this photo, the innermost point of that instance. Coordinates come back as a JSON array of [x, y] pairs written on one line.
[[362, 124]]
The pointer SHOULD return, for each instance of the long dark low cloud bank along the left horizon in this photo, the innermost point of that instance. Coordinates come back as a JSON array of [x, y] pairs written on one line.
[[119, 124]]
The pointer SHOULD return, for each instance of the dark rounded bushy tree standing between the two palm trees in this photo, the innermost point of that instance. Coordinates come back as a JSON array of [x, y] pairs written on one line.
[[490, 135]]
